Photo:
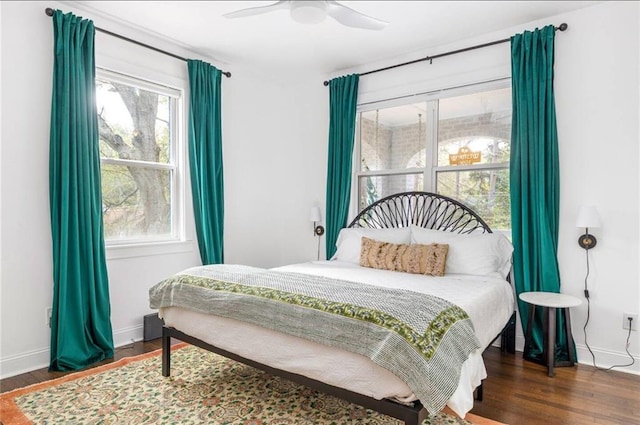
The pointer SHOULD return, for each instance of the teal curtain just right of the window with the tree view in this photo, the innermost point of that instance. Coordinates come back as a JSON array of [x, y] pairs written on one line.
[[205, 159]]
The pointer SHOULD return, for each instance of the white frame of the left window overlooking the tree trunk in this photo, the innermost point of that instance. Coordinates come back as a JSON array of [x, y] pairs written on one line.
[[176, 241]]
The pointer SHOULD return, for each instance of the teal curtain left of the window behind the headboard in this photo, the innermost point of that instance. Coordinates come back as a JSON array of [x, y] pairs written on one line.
[[343, 94]]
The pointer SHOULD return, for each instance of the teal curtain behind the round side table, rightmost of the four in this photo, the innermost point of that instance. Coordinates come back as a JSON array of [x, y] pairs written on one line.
[[535, 176]]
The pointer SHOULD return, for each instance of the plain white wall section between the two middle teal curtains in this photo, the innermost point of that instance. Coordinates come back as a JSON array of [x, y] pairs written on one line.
[[275, 168]]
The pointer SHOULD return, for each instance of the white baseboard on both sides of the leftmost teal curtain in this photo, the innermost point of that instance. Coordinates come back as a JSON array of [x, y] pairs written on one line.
[[38, 359]]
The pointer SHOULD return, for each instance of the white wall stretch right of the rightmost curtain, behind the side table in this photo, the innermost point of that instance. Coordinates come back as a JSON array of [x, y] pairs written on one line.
[[597, 77]]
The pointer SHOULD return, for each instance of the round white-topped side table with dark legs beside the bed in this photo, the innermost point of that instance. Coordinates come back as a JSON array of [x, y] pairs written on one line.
[[550, 303]]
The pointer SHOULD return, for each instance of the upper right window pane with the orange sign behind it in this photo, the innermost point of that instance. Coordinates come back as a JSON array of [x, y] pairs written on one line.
[[475, 128]]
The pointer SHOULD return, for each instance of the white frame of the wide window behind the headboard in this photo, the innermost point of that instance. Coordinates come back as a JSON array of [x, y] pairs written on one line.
[[431, 169]]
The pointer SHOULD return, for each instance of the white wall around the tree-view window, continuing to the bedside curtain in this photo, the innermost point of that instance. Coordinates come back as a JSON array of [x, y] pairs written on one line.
[[274, 138]]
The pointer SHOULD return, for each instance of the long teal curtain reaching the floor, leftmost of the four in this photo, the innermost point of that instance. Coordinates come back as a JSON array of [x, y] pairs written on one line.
[[80, 323]]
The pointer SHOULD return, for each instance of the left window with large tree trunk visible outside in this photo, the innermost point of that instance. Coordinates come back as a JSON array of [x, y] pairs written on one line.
[[138, 154]]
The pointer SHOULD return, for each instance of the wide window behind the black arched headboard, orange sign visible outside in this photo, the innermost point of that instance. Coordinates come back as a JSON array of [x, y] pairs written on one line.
[[456, 144]]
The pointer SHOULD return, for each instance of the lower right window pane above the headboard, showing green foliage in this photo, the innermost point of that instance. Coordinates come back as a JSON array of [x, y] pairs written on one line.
[[484, 191]]
